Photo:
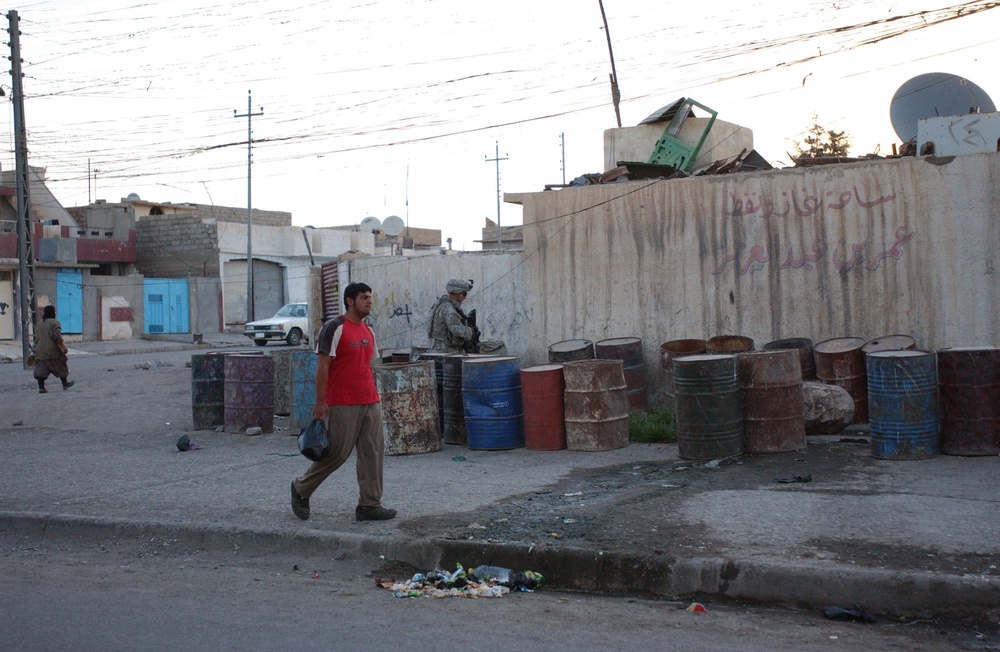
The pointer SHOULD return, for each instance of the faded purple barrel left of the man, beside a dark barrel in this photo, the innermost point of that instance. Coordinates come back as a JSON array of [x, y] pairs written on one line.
[[249, 392]]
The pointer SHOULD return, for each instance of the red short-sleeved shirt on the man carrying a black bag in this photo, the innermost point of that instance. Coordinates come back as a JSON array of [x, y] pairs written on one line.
[[351, 348]]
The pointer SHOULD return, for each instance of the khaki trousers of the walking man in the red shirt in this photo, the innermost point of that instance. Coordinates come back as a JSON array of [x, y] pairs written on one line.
[[351, 427]]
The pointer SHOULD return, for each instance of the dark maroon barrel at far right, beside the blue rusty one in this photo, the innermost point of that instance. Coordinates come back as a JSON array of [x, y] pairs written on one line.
[[969, 391]]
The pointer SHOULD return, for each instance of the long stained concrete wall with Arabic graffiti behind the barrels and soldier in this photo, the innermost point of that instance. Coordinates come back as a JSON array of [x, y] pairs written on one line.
[[864, 250]]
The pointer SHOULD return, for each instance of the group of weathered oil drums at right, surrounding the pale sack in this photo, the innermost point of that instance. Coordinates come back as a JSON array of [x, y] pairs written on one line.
[[917, 403]]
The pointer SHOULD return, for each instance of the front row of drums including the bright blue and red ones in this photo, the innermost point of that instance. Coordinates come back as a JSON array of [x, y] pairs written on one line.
[[487, 402]]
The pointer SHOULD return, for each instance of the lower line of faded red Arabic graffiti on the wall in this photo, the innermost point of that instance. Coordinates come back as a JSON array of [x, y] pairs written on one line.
[[844, 257]]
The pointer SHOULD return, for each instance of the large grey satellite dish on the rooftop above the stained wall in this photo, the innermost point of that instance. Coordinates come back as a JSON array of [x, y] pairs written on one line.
[[935, 94]]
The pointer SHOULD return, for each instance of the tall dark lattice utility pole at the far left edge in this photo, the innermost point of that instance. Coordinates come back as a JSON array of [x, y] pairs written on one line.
[[25, 248]]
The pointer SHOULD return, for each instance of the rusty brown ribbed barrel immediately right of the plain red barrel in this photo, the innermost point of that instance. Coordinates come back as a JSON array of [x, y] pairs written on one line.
[[596, 405]]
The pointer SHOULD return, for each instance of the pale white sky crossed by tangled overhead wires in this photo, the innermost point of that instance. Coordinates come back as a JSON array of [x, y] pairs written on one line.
[[378, 108]]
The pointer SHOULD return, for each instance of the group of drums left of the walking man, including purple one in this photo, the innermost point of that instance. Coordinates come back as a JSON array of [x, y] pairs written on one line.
[[244, 390]]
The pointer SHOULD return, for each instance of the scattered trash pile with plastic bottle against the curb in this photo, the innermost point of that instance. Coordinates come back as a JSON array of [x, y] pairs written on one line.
[[480, 582]]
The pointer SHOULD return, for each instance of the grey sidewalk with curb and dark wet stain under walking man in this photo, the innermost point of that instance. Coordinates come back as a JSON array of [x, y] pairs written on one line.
[[915, 538]]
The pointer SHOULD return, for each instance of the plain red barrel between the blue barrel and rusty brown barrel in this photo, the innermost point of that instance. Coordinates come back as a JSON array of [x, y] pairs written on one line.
[[542, 388]]
